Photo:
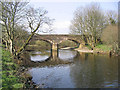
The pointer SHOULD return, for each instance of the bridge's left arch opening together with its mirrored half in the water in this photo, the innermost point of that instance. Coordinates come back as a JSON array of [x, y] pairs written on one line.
[[40, 50]]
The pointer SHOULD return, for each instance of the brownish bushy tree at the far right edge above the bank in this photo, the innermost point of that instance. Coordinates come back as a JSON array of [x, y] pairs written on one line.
[[110, 33]]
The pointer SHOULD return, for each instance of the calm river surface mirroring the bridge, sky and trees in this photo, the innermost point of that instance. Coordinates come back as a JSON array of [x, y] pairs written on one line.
[[72, 69]]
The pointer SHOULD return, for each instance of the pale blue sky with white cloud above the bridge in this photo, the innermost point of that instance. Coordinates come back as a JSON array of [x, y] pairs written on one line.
[[63, 11]]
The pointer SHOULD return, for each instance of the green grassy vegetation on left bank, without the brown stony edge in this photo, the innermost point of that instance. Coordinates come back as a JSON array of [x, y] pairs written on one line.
[[10, 79]]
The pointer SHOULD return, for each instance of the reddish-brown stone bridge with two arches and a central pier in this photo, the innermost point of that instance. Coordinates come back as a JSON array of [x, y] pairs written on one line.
[[56, 39]]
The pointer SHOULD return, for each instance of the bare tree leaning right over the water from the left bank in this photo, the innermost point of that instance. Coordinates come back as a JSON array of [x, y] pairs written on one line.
[[36, 19]]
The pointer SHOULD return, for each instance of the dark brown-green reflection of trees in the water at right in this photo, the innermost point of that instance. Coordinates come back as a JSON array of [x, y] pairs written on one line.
[[93, 70]]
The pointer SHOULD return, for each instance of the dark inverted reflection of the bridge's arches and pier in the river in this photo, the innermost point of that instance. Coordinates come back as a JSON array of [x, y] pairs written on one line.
[[53, 60]]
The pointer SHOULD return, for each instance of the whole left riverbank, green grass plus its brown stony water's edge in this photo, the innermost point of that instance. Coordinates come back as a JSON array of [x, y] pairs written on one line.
[[13, 74]]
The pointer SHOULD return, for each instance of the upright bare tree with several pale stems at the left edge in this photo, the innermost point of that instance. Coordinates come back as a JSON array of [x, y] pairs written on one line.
[[10, 15]]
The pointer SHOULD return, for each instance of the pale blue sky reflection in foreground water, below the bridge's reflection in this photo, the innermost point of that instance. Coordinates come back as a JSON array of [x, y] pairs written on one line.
[[52, 77]]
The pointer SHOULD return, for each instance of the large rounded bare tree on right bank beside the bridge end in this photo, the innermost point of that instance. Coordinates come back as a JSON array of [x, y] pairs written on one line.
[[89, 22]]
